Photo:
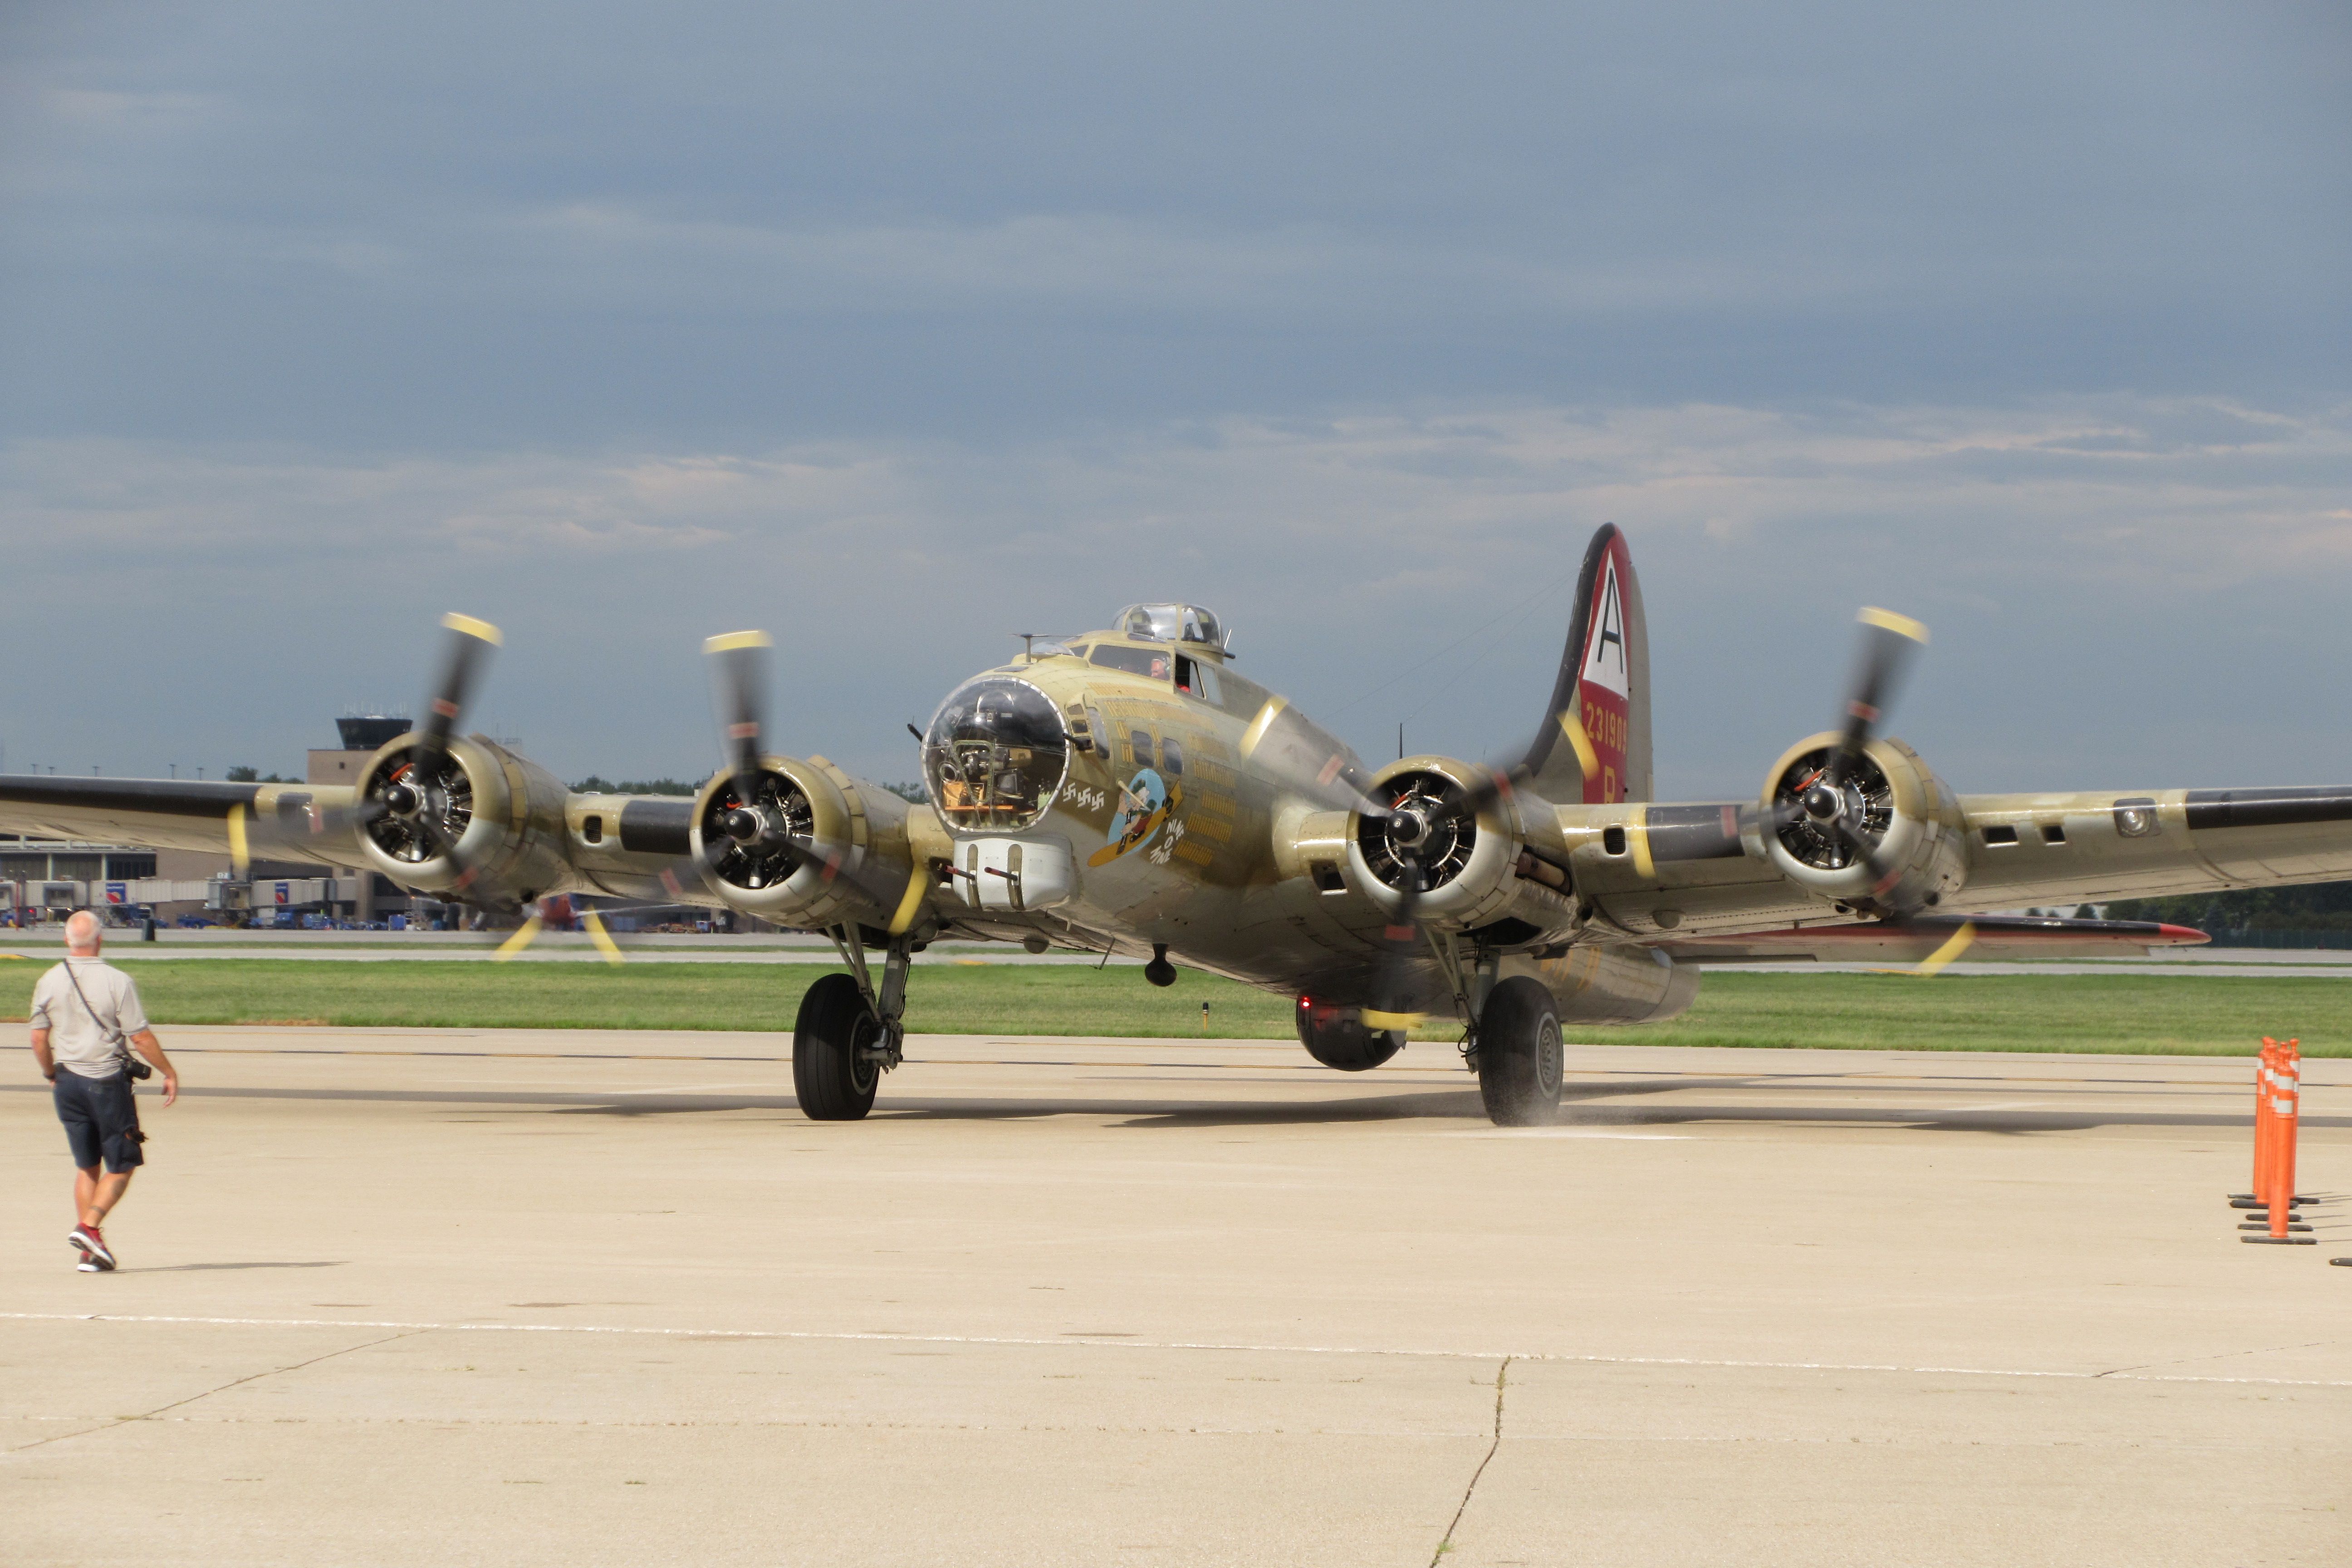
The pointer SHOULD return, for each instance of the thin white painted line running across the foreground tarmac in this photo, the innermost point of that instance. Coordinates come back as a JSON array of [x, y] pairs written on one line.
[[1212, 1346]]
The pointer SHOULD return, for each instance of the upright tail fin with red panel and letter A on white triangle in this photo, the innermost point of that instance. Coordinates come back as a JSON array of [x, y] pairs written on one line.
[[1603, 690]]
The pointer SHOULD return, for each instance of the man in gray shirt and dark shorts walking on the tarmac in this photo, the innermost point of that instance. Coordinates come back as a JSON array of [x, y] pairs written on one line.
[[86, 1021]]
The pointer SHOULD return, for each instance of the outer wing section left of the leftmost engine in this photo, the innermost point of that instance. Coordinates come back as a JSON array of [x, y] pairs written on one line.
[[180, 815]]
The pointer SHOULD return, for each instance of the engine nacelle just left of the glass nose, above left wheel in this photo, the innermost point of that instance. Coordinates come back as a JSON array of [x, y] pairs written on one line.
[[855, 862]]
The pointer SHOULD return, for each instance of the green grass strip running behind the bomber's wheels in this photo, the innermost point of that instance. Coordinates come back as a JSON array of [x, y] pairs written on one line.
[[2221, 1014]]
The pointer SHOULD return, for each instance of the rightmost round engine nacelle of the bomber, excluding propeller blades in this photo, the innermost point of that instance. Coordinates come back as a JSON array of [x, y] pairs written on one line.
[[1892, 800]]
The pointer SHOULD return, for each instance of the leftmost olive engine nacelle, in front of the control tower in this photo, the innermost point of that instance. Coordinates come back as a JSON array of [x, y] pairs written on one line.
[[505, 815]]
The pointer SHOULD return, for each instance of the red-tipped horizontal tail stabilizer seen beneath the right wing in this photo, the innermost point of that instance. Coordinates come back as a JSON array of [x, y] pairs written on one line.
[[1906, 942]]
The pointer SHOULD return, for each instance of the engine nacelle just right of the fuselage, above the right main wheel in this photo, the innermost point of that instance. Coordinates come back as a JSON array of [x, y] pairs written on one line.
[[1474, 866]]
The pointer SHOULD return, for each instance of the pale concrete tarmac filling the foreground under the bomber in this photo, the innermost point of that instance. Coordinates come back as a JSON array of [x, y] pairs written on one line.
[[439, 1296]]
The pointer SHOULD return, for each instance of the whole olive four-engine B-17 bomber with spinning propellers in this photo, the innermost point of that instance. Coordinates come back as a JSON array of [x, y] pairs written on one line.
[[1130, 791]]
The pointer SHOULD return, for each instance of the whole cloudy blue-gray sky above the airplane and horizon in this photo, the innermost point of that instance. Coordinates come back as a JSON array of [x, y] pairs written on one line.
[[902, 330]]
